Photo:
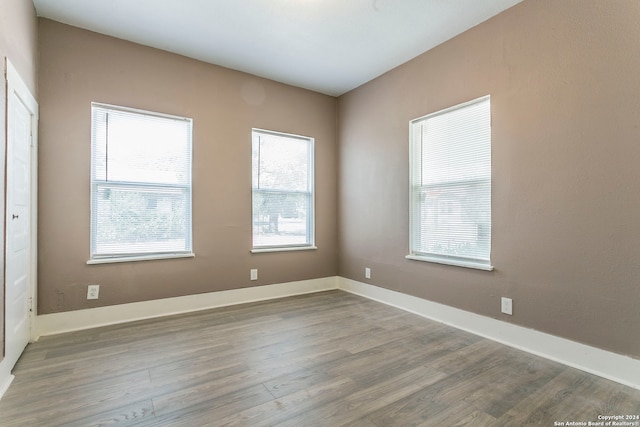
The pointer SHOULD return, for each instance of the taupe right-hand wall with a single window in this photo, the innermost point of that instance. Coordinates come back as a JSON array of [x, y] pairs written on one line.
[[565, 91]]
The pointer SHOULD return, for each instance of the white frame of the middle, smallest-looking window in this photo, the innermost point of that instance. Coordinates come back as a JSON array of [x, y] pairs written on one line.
[[310, 192]]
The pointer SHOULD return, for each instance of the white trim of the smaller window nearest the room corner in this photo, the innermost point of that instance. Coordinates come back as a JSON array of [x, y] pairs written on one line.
[[311, 218]]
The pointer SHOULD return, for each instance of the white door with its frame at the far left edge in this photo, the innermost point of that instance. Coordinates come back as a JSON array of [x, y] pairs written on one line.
[[19, 259]]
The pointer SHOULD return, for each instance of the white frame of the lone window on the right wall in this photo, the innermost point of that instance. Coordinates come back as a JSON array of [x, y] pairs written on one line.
[[417, 187]]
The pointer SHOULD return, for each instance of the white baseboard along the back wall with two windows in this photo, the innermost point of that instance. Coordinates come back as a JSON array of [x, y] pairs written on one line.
[[56, 323]]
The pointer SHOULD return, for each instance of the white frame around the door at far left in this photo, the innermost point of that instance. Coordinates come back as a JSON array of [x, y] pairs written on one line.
[[15, 84]]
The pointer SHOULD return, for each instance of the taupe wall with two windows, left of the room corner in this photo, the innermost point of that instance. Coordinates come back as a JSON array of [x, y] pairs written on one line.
[[78, 67]]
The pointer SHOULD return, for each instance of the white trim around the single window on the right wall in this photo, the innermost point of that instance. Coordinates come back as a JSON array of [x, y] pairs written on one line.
[[415, 166]]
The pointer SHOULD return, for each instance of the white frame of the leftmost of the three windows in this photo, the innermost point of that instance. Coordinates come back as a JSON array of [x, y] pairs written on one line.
[[101, 258]]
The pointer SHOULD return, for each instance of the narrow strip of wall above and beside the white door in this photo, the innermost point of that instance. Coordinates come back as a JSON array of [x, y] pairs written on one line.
[[18, 42]]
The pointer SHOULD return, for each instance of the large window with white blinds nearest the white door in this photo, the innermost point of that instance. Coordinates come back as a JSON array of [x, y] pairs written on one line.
[[140, 184]]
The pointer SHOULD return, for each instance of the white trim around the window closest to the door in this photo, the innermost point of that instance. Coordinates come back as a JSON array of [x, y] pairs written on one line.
[[132, 257]]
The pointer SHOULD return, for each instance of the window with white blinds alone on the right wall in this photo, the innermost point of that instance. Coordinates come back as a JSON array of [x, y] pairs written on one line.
[[451, 186]]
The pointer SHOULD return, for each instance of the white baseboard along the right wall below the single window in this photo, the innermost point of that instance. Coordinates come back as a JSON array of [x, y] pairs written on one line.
[[622, 369]]
